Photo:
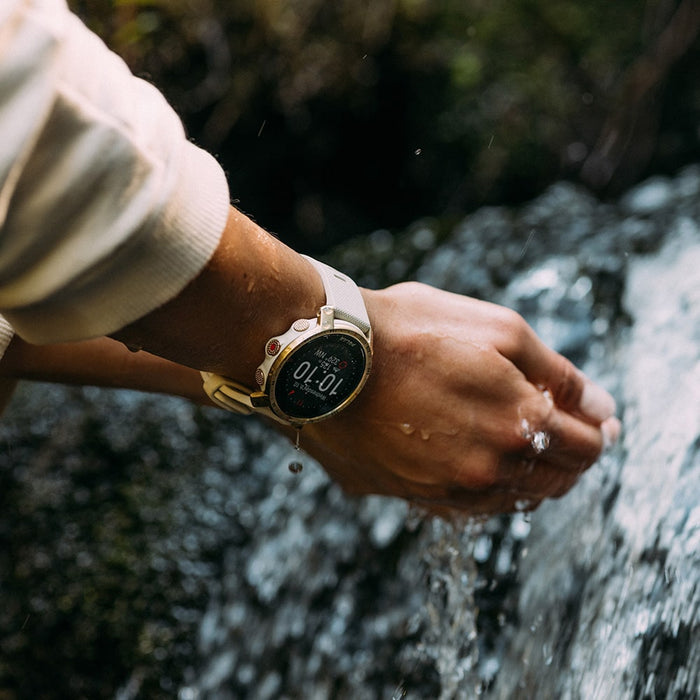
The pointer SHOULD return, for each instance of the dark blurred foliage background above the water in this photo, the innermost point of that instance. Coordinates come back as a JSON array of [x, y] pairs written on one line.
[[334, 119]]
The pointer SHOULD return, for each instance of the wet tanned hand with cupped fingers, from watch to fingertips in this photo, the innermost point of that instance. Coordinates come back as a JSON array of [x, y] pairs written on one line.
[[465, 408]]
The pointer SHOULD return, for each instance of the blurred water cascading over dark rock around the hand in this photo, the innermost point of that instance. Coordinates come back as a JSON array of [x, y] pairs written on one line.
[[183, 534]]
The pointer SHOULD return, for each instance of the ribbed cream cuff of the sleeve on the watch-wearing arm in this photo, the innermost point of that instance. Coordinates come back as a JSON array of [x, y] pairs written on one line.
[[151, 271]]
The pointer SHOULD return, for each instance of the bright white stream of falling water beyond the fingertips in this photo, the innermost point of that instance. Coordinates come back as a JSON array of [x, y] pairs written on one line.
[[609, 599]]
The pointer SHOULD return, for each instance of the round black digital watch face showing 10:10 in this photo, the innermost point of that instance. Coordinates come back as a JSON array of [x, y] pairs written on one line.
[[320, 376]]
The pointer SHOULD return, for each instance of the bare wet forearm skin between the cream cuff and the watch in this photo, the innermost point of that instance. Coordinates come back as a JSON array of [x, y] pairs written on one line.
[[256, 287]]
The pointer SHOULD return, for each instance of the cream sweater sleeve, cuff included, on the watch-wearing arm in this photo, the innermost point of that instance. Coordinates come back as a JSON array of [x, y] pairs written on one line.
[[106, 209]]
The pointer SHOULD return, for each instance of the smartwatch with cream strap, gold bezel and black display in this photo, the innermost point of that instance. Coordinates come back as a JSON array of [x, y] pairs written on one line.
[[314, 369]]
